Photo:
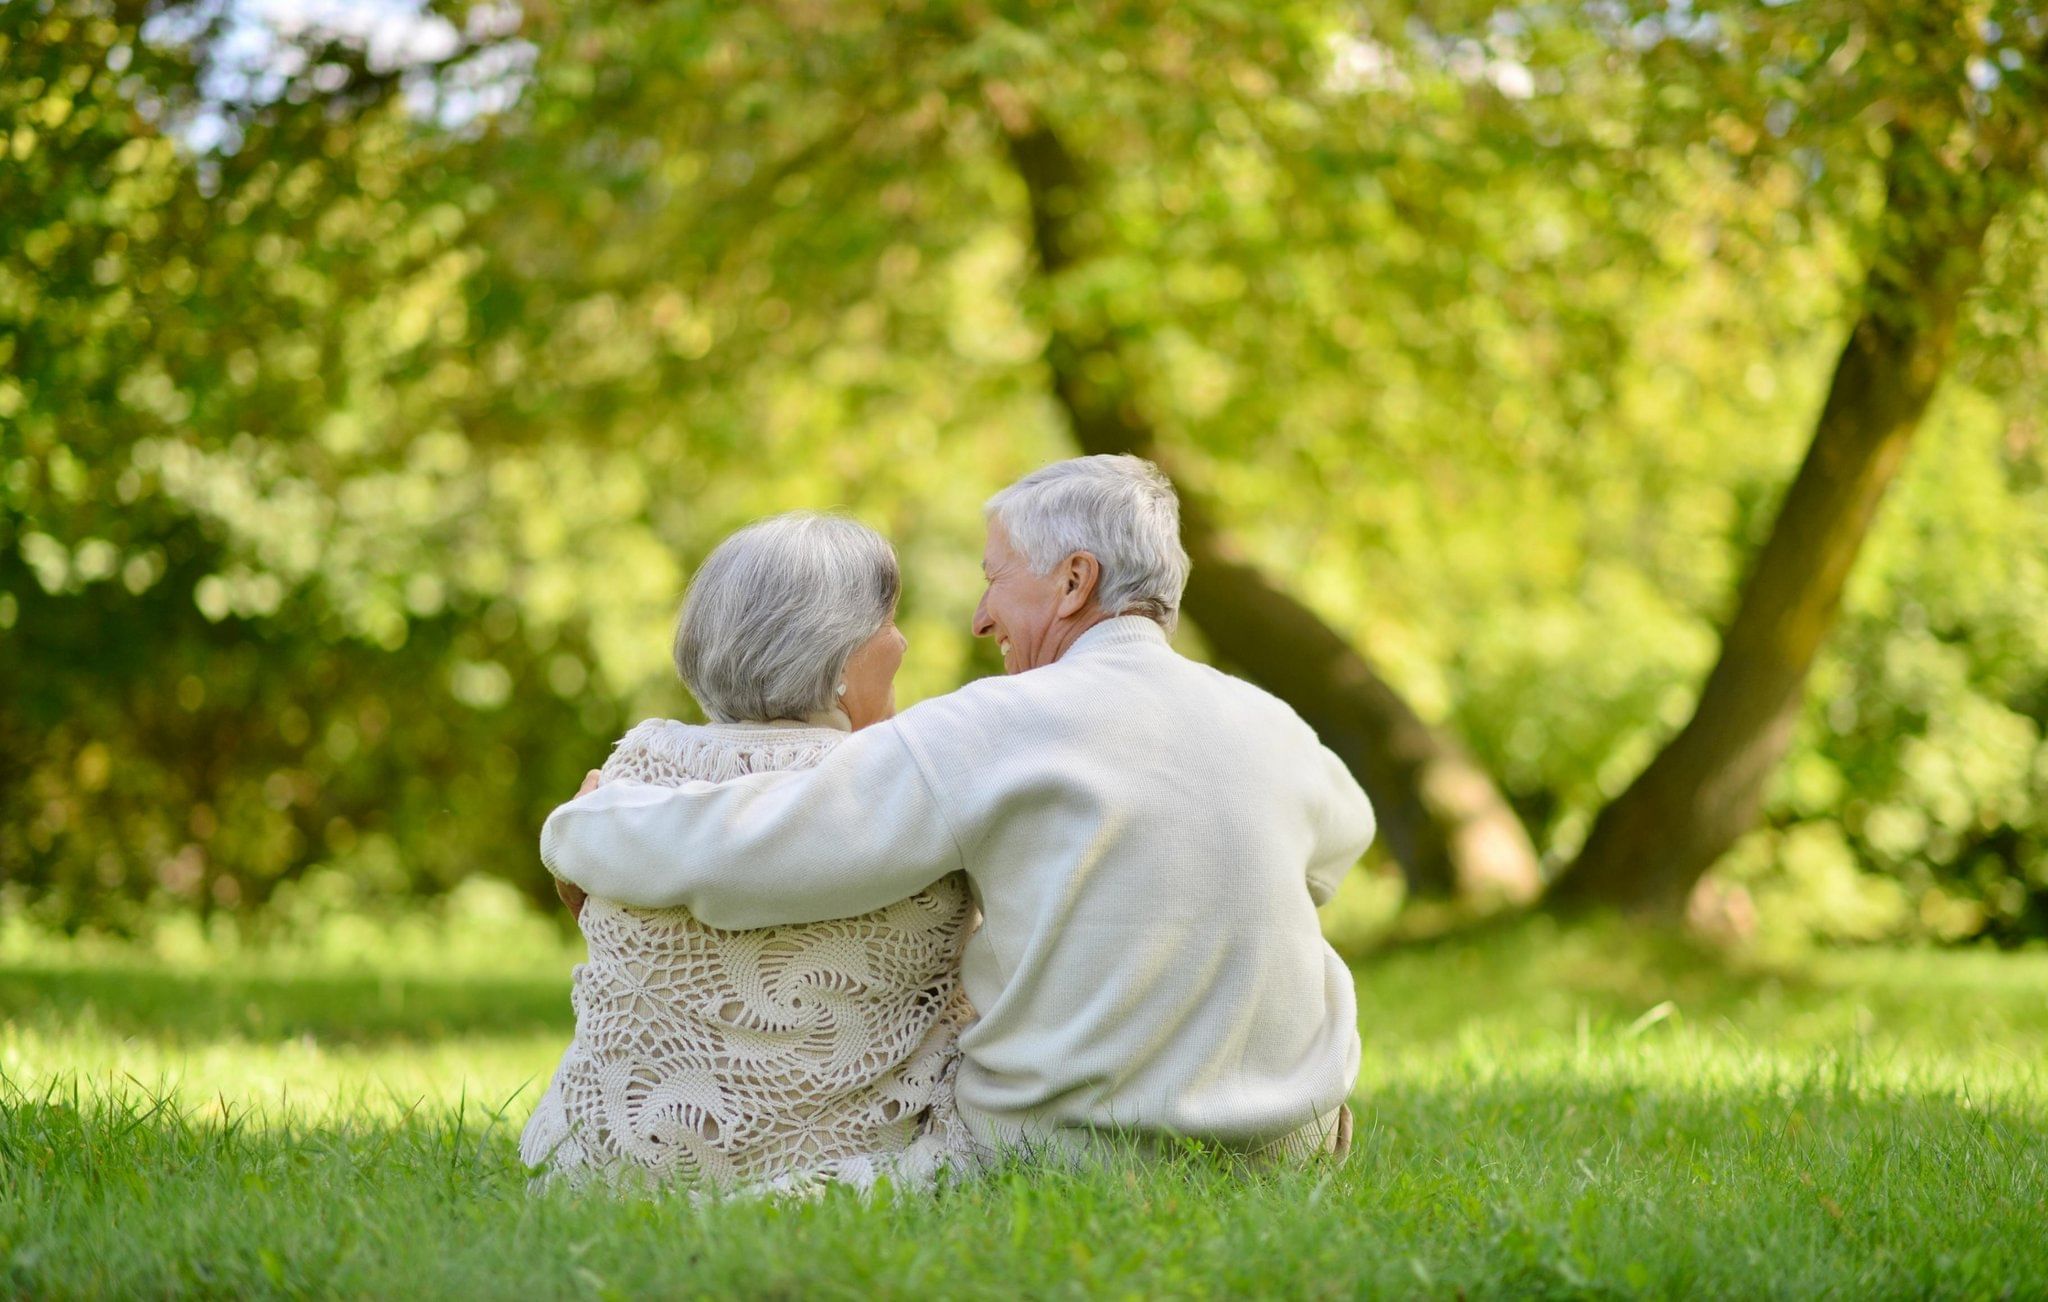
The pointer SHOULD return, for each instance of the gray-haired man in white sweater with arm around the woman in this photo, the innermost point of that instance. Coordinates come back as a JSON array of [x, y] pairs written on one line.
[[1148, 840]]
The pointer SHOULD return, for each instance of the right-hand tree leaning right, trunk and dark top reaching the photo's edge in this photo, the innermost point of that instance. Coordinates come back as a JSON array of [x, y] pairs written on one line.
[[1947, 175]]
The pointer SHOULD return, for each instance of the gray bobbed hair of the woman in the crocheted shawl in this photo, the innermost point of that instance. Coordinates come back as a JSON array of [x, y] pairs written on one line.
[[777, 611]]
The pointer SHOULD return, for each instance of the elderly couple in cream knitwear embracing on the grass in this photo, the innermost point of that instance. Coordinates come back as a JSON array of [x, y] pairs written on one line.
[[1062, 912]]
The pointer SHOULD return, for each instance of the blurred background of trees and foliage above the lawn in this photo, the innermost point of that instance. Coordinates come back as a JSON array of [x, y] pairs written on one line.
[[1617, 427]]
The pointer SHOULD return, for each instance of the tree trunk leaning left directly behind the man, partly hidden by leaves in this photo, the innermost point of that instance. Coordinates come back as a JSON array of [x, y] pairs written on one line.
[[1445, 822]]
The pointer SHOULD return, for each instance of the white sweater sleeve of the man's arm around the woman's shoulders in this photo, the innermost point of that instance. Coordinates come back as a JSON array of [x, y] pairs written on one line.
[[849, 836]]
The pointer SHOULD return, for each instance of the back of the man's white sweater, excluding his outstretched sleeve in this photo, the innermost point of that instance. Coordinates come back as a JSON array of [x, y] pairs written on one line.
[[1140, 830]]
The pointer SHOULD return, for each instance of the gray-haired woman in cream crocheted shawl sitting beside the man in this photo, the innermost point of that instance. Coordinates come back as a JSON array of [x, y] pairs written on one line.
[[773, 1057]]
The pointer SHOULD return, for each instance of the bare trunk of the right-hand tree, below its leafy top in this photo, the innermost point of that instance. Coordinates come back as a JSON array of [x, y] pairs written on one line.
[[1652, 847]]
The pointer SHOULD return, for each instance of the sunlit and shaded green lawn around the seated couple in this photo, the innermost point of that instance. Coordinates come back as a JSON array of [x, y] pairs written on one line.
[[1541, 1113]]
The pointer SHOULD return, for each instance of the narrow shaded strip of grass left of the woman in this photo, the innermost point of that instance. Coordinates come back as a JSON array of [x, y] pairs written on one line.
[[341, 1008]]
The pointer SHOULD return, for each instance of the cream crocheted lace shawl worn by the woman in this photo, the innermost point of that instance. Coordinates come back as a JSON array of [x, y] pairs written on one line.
[[757, 1059]]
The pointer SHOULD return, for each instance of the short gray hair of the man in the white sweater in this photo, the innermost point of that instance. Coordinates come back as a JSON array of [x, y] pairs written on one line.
[[1121, 511]]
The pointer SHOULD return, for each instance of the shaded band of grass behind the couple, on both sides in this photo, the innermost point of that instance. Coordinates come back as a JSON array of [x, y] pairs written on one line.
[[1531, 975]]
